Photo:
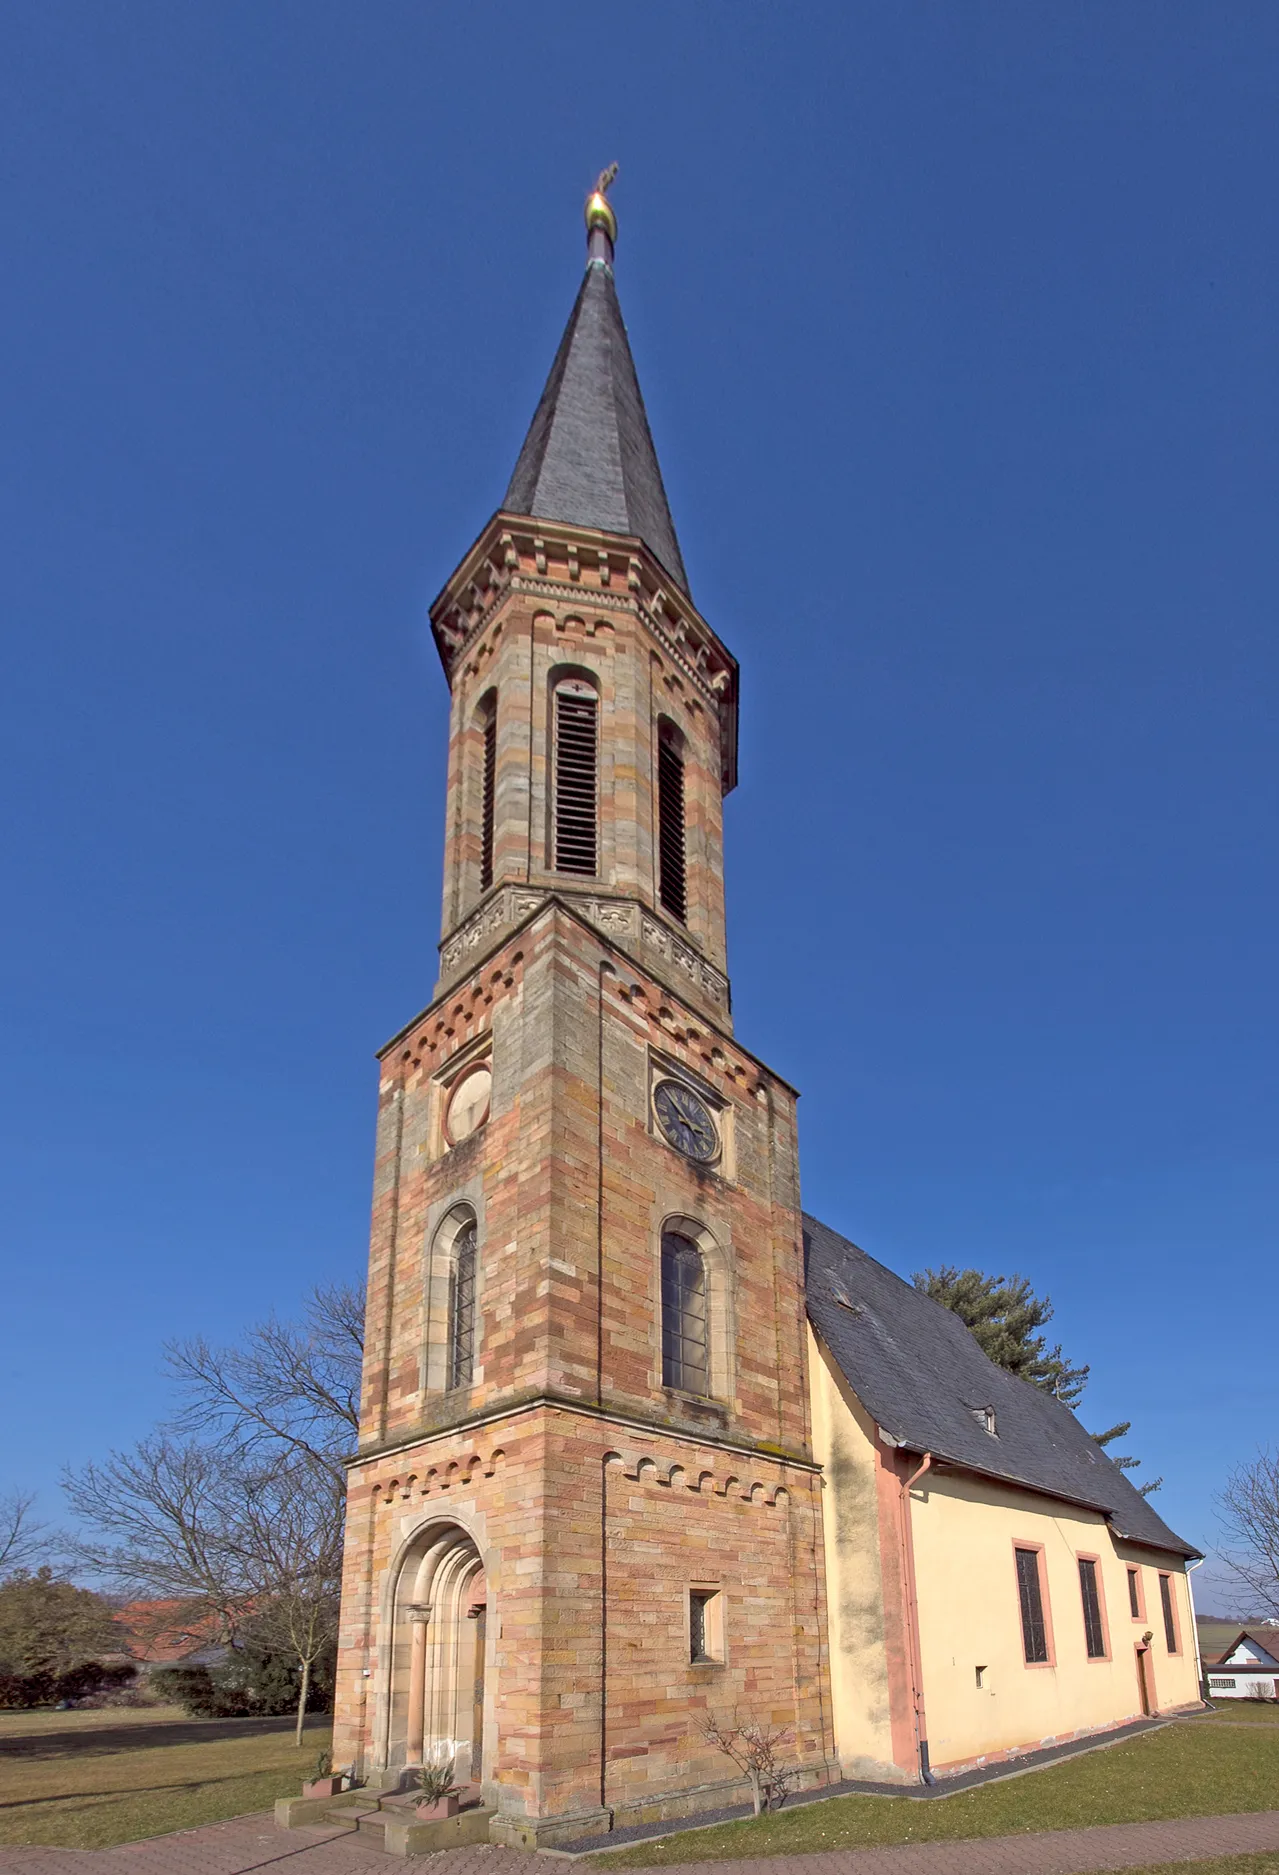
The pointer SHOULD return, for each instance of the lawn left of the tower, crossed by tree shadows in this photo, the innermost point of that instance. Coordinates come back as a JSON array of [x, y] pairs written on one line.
[[91, 1780]]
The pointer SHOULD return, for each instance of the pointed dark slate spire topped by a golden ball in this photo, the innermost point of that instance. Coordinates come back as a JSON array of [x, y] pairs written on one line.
[[590, 457]]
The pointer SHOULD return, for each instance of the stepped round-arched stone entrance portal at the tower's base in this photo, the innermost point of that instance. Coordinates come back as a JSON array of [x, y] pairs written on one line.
[[438, 1653]]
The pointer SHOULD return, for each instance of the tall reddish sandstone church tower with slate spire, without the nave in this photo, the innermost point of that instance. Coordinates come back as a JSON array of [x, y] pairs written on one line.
[[584, 1514]]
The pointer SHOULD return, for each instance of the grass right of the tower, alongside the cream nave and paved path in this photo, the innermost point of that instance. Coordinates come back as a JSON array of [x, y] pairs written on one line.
[[1182, 1771]]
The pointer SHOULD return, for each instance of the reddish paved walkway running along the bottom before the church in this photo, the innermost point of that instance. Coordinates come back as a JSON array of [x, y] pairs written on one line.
[[252, 1844]]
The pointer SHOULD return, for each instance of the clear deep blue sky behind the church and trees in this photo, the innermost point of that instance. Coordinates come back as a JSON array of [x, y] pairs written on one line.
[[957, 337]]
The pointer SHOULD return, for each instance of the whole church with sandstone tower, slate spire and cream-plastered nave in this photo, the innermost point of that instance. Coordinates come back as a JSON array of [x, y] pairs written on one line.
[[644, 1445]]
